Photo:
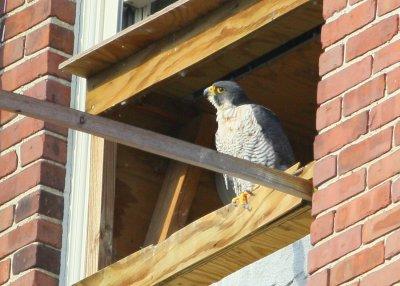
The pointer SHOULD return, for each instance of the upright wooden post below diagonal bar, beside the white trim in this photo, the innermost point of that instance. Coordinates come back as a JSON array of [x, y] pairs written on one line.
[[99, 245]]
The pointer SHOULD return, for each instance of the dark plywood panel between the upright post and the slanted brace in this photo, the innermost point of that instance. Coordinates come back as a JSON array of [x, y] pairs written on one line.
[[139, 179]]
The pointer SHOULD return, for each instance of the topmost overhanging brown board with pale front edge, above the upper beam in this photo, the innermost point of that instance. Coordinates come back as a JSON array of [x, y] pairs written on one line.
[[130, 40]]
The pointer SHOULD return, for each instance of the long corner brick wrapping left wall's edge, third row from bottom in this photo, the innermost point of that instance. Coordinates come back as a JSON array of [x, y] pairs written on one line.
[[37, 230]]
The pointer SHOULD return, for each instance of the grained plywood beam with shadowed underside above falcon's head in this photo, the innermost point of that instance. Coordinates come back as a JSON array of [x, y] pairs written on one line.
[[231, 26]]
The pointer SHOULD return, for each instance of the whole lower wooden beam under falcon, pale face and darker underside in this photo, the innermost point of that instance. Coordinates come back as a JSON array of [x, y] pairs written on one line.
[[215, 245]]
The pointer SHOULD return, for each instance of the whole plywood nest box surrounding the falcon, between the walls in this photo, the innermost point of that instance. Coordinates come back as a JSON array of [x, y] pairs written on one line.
[[149, 75]]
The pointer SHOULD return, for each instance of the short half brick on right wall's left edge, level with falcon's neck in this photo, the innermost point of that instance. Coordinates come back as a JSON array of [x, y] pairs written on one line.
[[328, 113]]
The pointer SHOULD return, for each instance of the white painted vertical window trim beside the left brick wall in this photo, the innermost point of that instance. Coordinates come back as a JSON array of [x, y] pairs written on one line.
[[95, 20]]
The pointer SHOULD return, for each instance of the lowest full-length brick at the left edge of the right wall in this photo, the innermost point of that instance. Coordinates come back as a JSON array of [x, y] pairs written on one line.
[[334, 248]]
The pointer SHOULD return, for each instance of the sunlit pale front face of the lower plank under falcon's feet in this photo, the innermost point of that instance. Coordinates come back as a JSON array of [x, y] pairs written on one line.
[[126, 267]]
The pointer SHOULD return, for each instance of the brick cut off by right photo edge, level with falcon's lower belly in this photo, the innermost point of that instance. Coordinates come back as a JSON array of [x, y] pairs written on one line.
[[384, 169]]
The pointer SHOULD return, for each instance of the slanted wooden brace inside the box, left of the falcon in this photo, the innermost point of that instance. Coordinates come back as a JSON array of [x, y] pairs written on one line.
[[179, 187]]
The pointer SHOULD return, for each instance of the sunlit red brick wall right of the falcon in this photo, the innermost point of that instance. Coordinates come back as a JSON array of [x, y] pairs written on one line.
[[356, 233]]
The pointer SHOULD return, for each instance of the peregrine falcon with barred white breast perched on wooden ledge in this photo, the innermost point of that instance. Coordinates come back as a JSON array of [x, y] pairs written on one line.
[[248, 131]]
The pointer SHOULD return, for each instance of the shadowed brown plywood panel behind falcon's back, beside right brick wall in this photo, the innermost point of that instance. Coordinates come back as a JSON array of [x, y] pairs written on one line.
[[288, 85]]
